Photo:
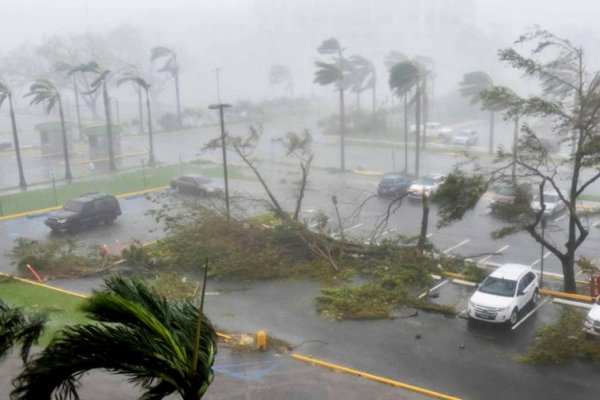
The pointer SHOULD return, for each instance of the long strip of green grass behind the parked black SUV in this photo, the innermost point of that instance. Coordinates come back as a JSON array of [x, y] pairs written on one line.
[[116, 183]]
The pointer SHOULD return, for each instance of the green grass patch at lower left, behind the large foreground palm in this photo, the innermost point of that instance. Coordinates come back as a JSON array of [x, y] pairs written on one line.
[[62, 308]]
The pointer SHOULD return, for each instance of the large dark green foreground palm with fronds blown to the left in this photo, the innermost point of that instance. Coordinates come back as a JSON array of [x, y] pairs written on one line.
[[164, 347]]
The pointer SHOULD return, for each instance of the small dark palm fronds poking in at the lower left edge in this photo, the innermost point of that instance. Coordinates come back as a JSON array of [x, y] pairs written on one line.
[[18, 327]]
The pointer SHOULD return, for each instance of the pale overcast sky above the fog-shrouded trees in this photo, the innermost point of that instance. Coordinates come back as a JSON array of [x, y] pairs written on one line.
[[234, 34]]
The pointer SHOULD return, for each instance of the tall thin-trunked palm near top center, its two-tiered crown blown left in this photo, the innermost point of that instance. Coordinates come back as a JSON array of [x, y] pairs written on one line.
[[333, 74]]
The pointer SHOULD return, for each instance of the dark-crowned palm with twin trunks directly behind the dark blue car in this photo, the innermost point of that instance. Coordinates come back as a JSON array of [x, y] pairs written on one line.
[[404, 77]]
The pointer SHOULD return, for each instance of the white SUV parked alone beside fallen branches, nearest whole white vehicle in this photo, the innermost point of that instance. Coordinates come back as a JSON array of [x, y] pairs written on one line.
[[504, 293]]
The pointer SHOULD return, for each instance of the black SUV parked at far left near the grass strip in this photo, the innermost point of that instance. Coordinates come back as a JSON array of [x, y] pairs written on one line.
[[87, 210]]
